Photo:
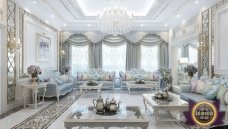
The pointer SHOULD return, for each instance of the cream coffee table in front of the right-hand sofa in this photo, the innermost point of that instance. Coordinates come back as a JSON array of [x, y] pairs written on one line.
[[177, 105]]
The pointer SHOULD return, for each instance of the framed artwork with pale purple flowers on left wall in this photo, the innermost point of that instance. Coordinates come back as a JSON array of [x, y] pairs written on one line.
[[43, 46]]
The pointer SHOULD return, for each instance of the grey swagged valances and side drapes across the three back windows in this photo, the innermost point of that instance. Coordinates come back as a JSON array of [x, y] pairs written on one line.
[[133, 53]]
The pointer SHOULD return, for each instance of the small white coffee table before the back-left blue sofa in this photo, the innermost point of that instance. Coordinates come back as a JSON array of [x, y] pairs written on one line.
[[86, 87]]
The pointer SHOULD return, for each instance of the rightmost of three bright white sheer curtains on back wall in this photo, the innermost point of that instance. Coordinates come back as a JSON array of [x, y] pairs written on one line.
[[149, 58]]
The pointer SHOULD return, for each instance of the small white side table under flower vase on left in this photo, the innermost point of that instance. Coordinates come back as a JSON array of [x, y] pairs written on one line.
[[34, 87]]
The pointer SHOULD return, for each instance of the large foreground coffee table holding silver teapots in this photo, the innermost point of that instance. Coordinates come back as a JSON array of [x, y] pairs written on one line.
[[85, 116]]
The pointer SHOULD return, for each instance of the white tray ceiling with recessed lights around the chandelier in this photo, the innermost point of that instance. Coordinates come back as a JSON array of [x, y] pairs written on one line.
[[80, 15]]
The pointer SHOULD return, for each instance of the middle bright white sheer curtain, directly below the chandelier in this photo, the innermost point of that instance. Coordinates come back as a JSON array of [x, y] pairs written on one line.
[[114, 57]]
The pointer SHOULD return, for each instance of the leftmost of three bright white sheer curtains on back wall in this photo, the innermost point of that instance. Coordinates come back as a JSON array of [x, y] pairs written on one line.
[[80, 59]]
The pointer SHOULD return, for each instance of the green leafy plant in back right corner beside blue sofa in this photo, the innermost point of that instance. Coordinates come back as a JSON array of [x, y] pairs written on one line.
[[166, 75]]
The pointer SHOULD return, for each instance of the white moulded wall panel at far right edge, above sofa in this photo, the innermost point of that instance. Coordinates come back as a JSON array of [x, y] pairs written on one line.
[[219, 37]]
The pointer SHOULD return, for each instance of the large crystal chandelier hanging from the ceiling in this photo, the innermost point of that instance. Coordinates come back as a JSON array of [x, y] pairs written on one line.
[[115, 20]]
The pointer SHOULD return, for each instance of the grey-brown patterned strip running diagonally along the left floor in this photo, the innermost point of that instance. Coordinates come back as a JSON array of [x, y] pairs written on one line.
[[47, 115]]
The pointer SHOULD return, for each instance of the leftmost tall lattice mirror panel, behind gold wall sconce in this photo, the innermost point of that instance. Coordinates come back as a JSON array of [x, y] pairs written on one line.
[[11, 51]]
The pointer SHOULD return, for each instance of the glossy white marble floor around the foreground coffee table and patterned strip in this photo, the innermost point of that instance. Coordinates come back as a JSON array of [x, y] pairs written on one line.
[[86, 99]]
